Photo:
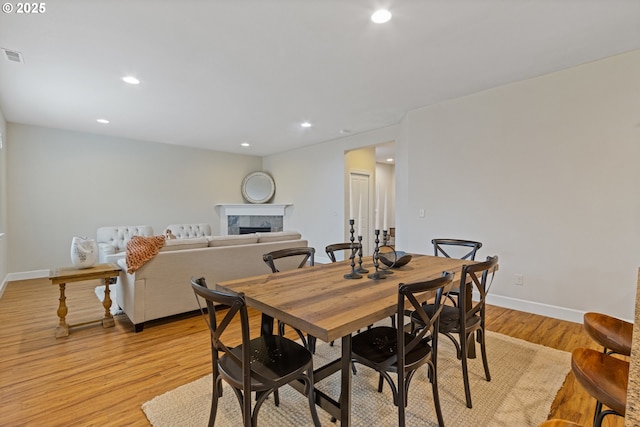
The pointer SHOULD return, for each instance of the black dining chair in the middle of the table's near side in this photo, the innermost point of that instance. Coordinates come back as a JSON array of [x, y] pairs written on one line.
[[393, 350]]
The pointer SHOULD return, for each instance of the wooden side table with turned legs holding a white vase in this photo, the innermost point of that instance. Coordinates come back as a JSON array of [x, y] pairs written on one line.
[[63, 275]]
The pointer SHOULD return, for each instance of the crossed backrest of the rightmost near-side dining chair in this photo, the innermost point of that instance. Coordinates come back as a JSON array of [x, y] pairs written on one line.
[[479, 276]]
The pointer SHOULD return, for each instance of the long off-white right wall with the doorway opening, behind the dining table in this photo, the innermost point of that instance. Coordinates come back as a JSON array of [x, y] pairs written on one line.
[[544, 172]]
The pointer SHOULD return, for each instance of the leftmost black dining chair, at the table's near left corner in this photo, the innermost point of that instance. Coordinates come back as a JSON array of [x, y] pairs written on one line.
[[259, 365]]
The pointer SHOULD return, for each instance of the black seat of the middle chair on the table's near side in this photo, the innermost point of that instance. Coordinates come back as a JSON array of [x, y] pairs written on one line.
[[378, 344]]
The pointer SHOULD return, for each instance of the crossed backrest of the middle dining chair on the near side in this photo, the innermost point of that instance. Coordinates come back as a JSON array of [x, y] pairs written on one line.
[[411, 297]]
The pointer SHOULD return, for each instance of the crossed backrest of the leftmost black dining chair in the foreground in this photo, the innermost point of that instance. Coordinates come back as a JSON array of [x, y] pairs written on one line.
[[237, 307]]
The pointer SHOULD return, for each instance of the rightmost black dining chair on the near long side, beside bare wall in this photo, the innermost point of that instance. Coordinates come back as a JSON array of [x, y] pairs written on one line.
[[460, 324]]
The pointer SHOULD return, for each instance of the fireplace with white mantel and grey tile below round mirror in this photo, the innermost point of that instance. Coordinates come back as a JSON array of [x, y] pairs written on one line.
[[251, 218]]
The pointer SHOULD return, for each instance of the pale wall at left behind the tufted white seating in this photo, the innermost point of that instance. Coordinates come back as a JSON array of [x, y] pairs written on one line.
[[64, 184]]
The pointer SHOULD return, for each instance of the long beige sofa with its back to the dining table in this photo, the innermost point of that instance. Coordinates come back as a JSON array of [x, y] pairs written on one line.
[[161, 287]]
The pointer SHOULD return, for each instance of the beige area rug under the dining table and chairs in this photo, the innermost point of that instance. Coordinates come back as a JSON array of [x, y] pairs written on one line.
[[525, 378]]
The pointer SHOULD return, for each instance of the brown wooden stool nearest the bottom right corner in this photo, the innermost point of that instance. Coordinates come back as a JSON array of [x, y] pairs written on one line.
[[604, 377]]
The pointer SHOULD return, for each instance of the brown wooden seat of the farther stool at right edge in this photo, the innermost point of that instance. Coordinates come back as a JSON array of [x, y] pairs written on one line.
[[610, 332]]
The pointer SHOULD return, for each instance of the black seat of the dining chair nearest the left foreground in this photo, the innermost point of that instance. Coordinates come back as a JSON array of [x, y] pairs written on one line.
[[274, 357]]
